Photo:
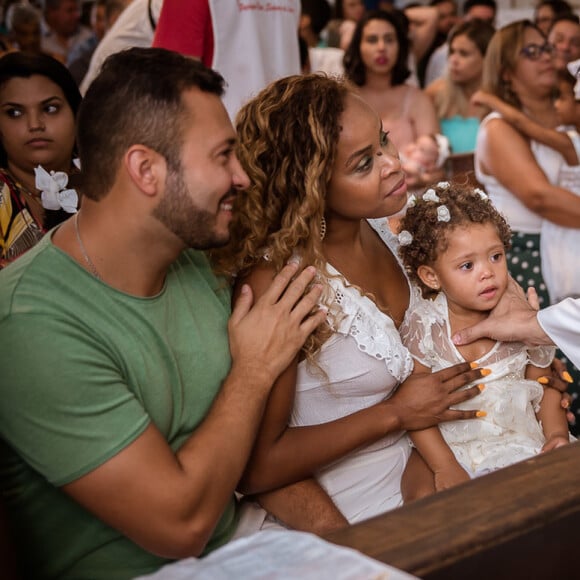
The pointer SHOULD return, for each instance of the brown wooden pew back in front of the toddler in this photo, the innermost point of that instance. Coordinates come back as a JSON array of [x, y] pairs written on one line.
[[522, 522]]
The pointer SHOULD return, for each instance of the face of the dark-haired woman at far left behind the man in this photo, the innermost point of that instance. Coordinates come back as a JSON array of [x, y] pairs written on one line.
[[37, 125]]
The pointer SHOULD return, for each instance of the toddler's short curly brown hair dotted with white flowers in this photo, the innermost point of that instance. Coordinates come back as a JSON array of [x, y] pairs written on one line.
[[465, 205]]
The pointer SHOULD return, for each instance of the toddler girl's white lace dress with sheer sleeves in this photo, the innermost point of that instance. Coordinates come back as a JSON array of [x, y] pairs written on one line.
[[510, 432]]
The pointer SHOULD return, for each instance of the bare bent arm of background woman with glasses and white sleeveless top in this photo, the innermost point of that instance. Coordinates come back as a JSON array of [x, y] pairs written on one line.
[[505, 153]]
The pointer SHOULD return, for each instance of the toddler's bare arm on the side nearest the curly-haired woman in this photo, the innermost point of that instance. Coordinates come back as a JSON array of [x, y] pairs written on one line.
[[436, 453]]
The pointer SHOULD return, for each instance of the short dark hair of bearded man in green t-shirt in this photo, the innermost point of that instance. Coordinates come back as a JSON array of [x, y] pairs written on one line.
[[136, 99]]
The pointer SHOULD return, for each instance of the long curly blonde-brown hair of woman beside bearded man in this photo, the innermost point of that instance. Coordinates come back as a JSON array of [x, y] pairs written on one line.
[[288, 136]]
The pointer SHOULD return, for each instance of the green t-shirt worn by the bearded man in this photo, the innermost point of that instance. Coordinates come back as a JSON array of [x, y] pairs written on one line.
[[84, 370]]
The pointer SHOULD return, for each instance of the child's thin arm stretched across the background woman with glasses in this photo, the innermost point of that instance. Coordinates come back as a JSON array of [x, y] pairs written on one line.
[[555, 139]]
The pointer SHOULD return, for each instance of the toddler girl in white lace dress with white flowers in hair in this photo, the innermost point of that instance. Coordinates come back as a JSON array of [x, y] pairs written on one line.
[[453, 245]]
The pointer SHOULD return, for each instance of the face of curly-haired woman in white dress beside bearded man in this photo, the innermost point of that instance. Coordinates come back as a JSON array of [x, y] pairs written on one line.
[[367, 179]]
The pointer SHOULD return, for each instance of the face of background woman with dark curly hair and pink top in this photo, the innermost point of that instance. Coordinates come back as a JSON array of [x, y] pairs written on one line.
[[379, 47]]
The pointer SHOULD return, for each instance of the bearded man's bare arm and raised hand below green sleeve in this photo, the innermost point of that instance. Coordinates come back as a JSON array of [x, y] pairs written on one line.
[[169, 503]]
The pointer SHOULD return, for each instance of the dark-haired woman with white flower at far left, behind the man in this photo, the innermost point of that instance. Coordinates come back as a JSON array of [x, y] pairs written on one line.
[[38, 104]]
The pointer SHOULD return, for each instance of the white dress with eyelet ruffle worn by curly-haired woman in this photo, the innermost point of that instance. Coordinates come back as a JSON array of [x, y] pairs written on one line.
[[365, 361]]
